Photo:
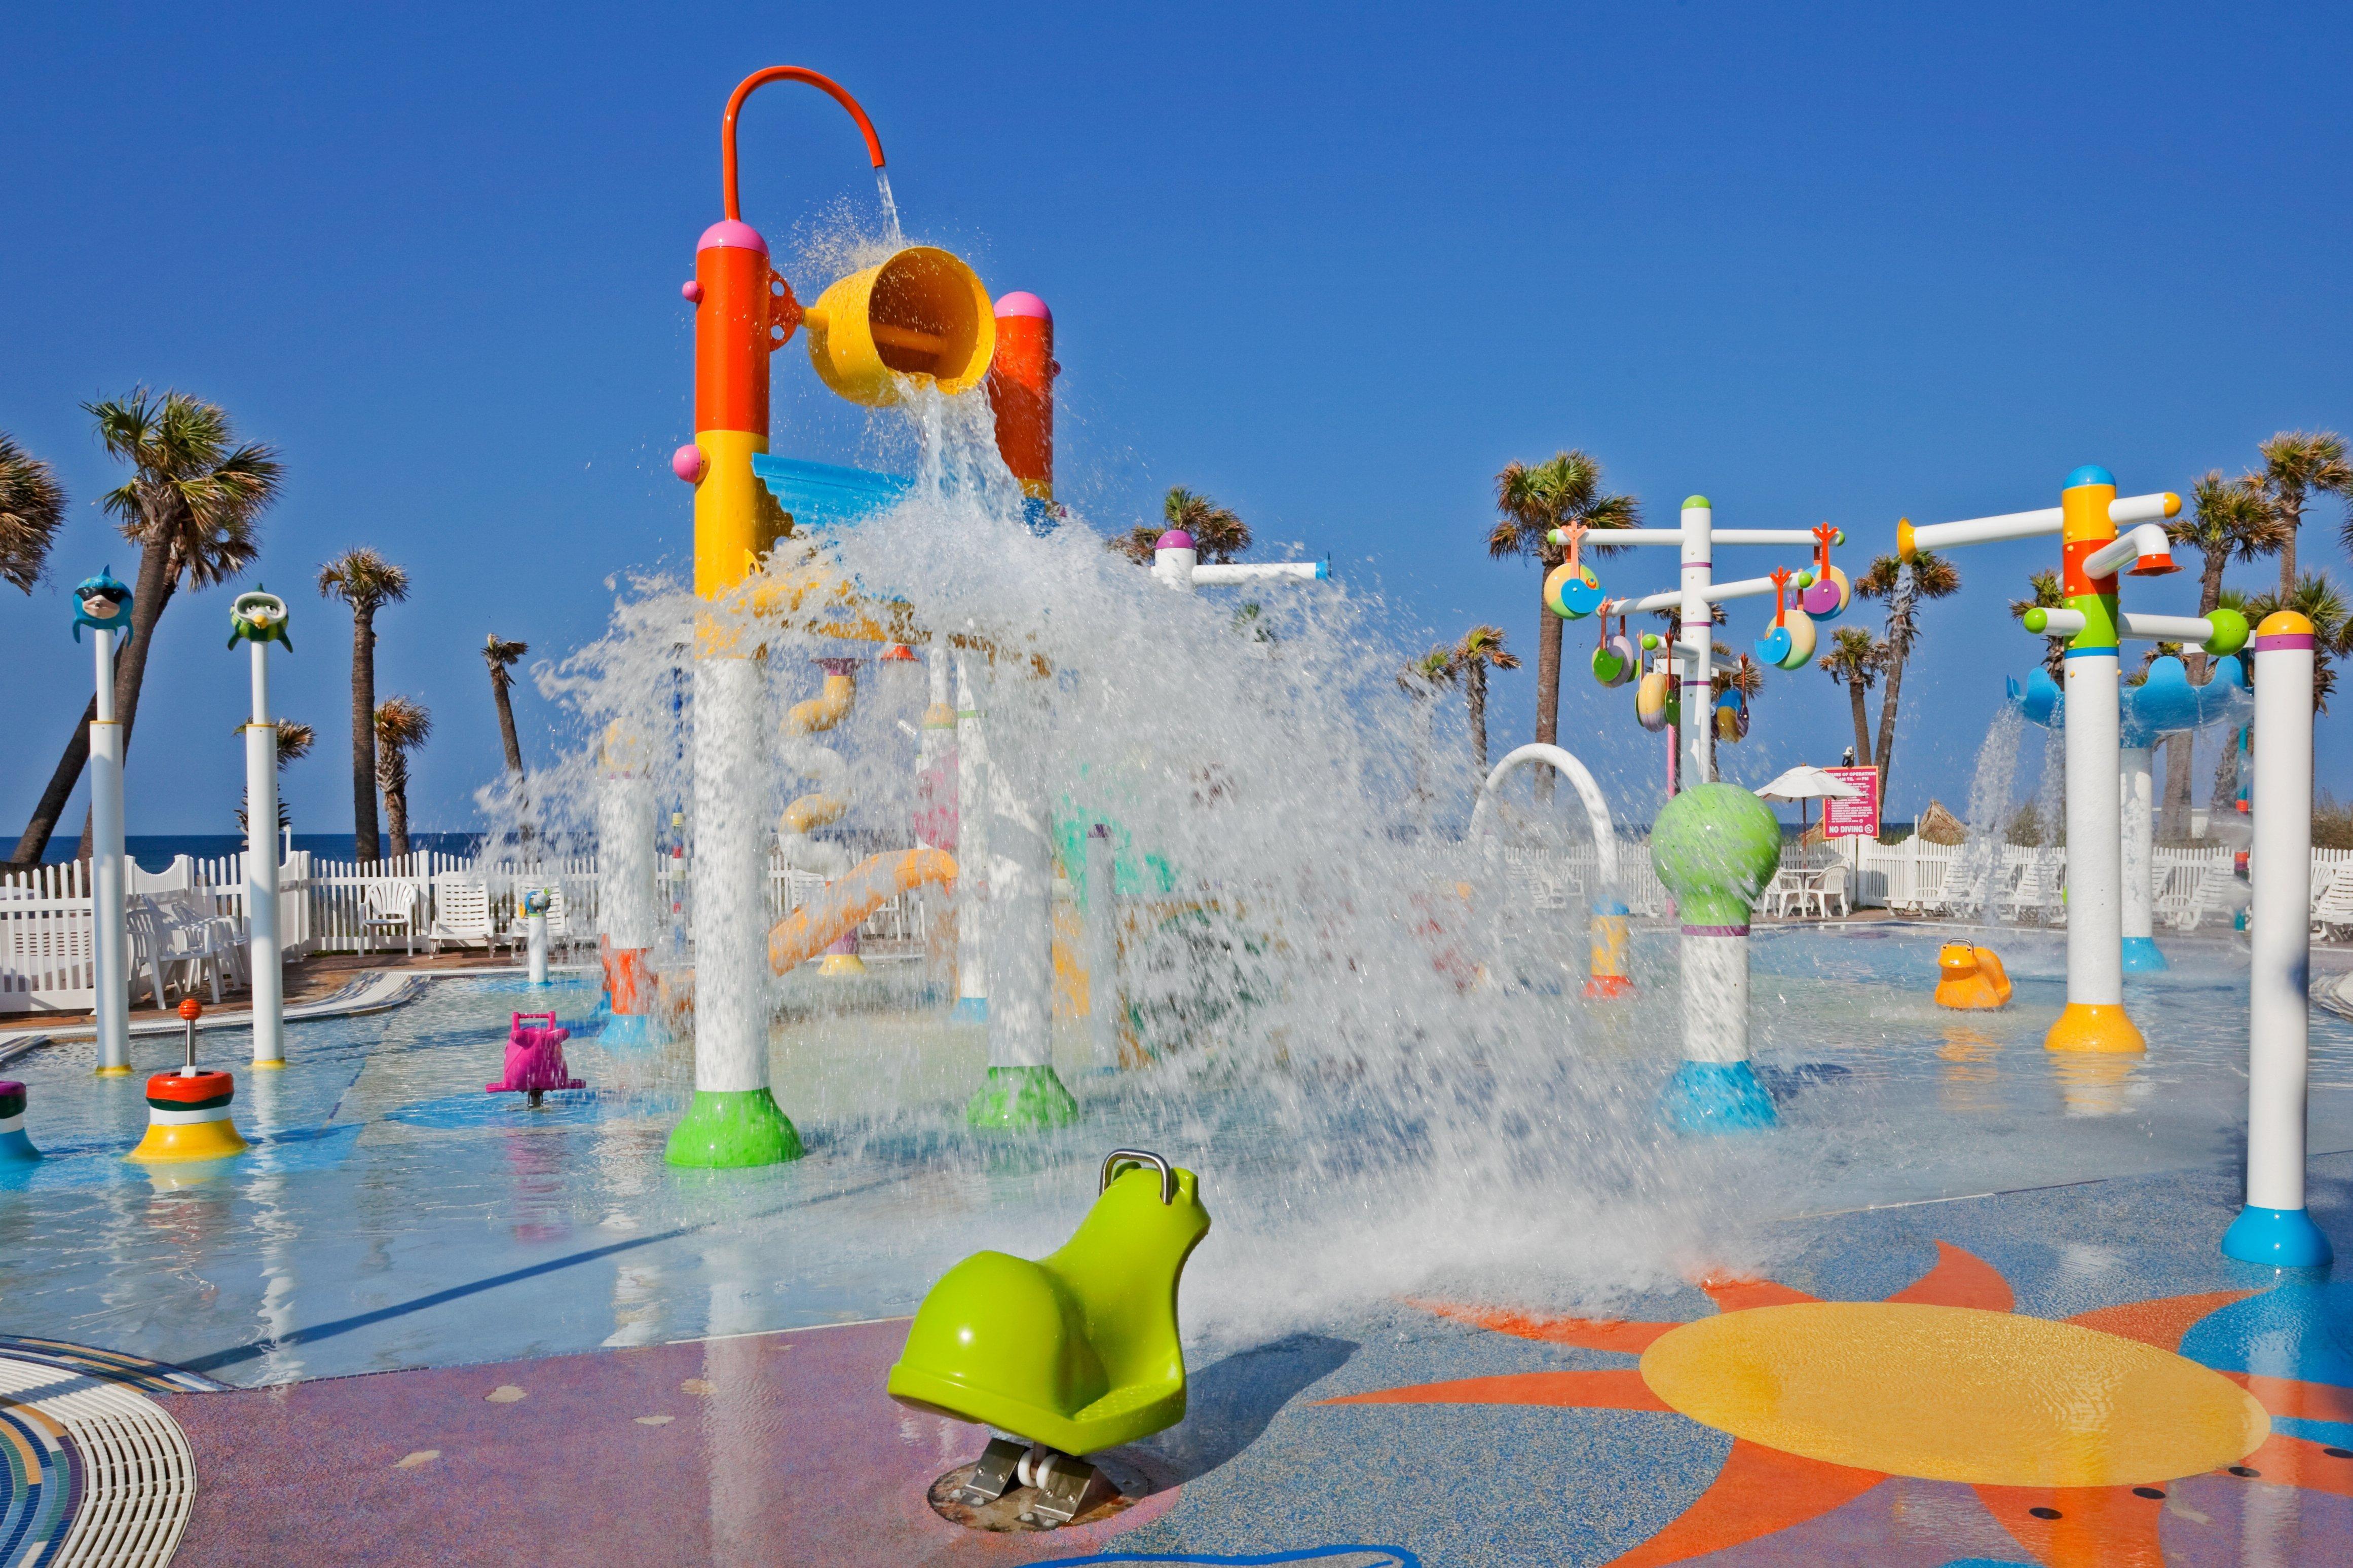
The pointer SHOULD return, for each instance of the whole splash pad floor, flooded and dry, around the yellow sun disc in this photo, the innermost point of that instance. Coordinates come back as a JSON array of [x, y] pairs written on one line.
[[528, 1282]]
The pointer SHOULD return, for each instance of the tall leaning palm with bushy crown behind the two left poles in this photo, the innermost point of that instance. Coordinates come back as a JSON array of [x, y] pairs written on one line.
[[192, 507]]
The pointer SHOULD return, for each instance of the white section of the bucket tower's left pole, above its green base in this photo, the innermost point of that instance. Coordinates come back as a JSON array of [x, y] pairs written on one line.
[[731, 878]]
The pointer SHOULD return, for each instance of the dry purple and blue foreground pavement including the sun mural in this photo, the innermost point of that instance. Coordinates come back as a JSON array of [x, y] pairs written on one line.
[[1427, 1433]]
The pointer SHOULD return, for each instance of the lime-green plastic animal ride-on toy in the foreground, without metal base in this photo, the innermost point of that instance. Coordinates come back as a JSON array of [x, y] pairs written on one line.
[[1076, 1351]]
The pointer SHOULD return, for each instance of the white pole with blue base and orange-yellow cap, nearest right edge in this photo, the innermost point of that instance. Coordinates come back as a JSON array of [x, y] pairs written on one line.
[[2274, 1226]]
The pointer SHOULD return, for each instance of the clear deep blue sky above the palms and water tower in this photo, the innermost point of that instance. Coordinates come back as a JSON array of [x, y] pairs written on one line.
[[1331, 267]]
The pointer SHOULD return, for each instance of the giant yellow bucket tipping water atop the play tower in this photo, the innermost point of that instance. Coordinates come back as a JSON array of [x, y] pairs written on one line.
[[921, 316]]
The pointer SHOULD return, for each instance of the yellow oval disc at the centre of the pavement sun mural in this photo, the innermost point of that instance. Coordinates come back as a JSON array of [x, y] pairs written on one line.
[[1954, 1395]]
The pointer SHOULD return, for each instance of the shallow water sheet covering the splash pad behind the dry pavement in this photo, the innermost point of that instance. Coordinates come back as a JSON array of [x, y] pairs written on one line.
[[392, 1214]]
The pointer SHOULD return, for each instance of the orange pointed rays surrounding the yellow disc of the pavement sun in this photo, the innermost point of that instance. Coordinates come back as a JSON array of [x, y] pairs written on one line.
[[1764, 1492]]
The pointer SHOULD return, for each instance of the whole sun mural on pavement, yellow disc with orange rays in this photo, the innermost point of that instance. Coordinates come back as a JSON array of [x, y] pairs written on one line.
[[2067, 1430]]
